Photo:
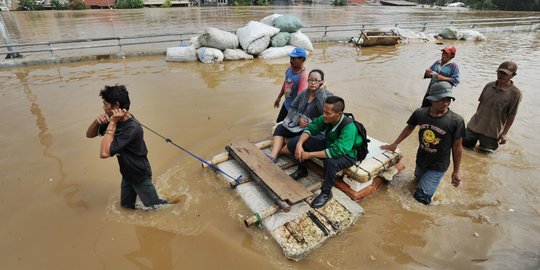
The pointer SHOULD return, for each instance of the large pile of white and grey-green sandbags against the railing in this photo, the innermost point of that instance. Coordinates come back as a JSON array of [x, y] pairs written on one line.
[[274, 36]]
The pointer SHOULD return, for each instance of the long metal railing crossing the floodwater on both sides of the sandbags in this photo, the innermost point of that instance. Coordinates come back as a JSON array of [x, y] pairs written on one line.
[[319, 32]]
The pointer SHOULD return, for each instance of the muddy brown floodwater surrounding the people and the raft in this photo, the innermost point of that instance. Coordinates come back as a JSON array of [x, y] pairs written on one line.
[[59, 201]]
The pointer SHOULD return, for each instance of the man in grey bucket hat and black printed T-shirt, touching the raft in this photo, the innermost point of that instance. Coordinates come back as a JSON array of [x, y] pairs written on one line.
[[440, 132]]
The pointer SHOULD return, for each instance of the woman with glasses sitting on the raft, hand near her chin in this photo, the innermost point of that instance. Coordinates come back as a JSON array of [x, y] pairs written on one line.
[[306, 106]]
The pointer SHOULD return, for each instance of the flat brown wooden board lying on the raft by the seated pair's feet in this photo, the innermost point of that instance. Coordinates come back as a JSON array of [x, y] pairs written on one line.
[[259, 165]]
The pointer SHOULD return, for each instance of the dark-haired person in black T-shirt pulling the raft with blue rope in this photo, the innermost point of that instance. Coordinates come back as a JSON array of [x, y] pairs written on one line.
[[123, 137]]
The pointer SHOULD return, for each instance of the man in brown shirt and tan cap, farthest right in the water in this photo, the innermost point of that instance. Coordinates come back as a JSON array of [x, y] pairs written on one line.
[[496, 111]]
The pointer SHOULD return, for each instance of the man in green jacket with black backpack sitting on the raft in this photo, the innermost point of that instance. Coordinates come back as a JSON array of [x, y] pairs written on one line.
[[337, 148]]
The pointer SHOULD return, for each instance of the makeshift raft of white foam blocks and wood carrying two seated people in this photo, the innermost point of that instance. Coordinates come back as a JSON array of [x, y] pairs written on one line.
[[294, 231]]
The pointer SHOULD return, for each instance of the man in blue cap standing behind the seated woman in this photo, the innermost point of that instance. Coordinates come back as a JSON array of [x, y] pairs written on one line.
[[295, 82]]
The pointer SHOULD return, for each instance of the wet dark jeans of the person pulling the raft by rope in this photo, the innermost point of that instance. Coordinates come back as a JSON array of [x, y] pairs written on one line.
[[146, 191]]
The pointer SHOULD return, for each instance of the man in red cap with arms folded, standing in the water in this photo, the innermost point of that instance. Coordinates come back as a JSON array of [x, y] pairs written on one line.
[[442, 70]]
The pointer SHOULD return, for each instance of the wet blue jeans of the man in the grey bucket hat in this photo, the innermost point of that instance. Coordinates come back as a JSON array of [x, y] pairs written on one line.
[[428, 181]]
